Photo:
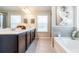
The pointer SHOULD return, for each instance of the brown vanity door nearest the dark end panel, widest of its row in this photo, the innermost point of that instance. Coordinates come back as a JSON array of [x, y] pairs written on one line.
[[22, 43]]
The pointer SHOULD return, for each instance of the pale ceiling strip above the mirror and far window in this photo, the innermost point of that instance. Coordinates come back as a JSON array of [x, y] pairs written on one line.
[[32, 8]]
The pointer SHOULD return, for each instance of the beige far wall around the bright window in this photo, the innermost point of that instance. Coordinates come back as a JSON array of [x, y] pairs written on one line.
[[45, 34]]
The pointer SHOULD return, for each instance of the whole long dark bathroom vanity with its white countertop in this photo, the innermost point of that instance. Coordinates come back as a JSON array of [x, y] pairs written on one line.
[[16, 41]]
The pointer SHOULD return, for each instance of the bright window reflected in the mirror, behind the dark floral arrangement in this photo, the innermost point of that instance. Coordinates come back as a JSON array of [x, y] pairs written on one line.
[[15, 19]]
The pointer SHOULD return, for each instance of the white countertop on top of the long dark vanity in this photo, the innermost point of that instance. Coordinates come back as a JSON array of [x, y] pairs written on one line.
[[9, 31]]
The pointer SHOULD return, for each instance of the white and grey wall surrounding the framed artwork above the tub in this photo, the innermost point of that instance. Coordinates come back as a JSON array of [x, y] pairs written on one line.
[[64, 31]]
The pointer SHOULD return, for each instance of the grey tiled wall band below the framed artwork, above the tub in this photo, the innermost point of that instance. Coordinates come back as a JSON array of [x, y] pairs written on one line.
[[63, 31]]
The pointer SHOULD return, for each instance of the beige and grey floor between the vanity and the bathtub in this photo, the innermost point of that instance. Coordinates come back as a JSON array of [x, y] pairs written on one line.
[[41, 45]]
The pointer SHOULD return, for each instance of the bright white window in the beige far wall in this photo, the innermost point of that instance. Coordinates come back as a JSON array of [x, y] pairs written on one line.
[[42, 23]]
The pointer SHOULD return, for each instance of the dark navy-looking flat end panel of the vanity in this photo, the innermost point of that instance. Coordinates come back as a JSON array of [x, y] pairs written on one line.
[[8, 44]]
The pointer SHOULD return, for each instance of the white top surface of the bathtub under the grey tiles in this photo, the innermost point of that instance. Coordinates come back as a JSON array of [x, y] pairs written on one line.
[[69, 45]]
